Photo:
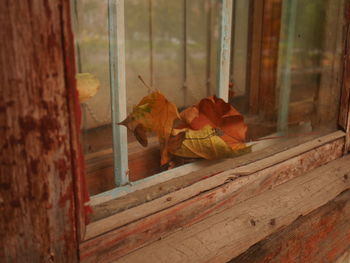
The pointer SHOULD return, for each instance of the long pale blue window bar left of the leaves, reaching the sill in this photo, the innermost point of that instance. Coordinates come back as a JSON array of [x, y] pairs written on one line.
[[118, 89]]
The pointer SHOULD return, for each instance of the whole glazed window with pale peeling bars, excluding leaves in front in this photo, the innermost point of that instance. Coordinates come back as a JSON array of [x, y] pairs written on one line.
[[277, 62]]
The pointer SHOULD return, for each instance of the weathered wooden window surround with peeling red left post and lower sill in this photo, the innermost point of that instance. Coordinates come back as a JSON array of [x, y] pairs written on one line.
[[42, 183]]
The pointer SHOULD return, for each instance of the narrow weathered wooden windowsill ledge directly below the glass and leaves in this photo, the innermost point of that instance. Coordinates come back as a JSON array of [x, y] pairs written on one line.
[[230, 175]]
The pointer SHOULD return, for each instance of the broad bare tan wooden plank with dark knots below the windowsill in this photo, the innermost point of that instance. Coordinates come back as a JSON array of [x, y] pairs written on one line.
[[223, 236]]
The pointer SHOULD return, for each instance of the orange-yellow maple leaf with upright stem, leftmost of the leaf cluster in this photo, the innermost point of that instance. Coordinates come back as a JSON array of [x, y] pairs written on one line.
[[153, 113]]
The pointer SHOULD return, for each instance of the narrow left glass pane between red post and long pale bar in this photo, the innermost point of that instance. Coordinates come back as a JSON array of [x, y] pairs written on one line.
[[90, 19]]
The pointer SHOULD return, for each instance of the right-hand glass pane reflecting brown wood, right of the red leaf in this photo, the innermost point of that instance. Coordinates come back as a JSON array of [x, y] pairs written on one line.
[[298, 58]]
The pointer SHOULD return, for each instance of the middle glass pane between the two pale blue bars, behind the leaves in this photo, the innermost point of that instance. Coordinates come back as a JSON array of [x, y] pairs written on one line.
[[173, 46]]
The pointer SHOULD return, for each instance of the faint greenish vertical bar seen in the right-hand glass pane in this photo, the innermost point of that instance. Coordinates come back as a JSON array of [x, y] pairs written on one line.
[[286, 52]]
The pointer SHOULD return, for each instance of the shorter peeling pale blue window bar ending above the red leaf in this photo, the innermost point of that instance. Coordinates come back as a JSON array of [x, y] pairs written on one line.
[[224, 49]]
